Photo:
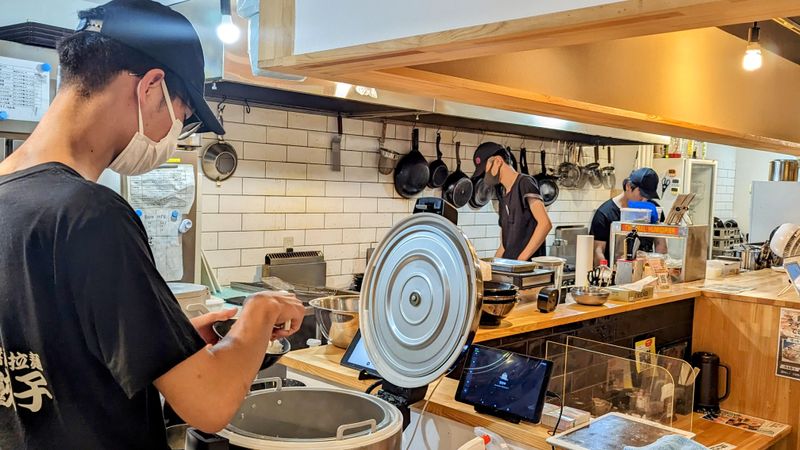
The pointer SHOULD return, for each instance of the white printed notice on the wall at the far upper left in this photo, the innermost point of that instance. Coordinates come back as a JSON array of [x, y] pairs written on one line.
[[24, 89]]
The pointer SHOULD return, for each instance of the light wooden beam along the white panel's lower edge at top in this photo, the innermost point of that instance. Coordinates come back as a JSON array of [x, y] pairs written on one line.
[[617, 20]]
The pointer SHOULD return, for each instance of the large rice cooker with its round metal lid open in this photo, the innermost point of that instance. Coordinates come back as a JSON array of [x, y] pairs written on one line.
[[419, 309]]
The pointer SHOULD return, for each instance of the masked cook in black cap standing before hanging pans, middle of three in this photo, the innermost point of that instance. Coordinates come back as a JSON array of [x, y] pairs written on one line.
[[524, 223]]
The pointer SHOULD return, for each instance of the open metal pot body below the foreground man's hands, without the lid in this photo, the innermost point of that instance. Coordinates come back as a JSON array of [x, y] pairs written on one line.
[[313, 418]]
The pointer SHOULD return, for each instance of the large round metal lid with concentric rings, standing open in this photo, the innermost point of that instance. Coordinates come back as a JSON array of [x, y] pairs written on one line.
[[420, 300]]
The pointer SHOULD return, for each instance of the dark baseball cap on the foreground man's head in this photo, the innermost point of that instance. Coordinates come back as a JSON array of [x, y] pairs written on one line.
[[167, 37]]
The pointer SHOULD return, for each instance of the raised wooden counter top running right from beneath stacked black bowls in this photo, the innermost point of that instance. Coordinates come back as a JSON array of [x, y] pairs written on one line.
[[527, 317]]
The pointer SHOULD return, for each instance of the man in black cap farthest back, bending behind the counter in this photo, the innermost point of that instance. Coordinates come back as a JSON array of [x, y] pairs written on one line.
[[641, 185]]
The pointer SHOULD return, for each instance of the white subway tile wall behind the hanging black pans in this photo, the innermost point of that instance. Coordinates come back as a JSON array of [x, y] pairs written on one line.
[[285, 192]]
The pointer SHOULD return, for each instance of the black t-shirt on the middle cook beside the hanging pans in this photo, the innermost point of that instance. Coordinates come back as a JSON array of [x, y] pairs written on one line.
[[516, 219]]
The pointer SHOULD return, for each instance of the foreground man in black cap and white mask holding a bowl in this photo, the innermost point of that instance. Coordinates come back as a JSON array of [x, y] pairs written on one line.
[[89, 331]]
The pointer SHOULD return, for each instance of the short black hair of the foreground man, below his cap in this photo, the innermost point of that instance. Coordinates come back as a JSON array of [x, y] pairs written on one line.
[[89, 61]]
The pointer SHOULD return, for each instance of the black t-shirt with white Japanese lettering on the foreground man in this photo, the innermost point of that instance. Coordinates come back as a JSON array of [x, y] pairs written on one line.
[[86, 321]]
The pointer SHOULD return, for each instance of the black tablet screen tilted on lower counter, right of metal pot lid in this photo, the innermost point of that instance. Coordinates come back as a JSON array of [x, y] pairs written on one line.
[[505, 382]]
